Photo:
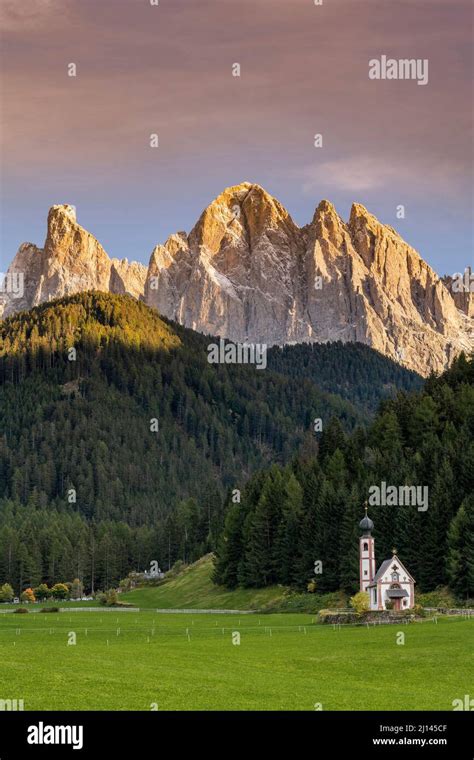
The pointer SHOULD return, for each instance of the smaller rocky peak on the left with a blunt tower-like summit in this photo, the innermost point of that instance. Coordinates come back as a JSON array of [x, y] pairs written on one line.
[[71, 261]]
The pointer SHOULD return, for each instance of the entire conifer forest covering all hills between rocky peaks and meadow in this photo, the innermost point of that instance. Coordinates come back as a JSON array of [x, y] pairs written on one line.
[[120, 445]]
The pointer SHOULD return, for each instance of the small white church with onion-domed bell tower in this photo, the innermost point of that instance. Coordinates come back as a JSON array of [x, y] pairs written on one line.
[[391, 583]]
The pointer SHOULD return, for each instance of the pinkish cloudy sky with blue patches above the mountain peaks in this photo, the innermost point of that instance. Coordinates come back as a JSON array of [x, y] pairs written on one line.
[[168, 70]]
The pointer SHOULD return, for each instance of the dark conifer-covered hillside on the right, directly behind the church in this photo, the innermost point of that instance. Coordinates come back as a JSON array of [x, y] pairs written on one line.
[[291, 516]]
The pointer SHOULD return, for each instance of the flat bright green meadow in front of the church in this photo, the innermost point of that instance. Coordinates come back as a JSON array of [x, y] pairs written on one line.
[[130, 660]]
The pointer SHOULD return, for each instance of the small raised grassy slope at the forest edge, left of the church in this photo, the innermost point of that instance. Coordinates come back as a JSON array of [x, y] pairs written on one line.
[[193, 589]]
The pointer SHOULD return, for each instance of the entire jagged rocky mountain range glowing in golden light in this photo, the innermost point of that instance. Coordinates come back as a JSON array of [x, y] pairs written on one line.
[[247, 272]]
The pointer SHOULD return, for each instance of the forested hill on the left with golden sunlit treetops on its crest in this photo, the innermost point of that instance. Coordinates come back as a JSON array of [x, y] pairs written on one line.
[[118, 440]]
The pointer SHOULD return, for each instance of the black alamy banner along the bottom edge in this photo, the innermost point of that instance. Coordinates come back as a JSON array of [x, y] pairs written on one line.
[[312, 734]]
